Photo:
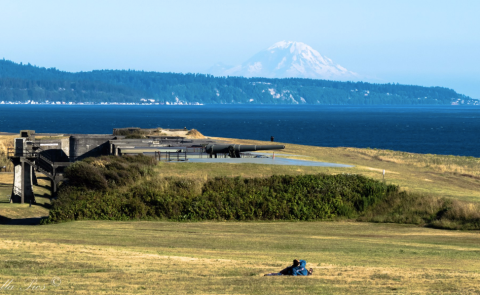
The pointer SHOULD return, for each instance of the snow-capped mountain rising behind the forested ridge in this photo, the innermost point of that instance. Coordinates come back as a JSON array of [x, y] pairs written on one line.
[[287, 59]]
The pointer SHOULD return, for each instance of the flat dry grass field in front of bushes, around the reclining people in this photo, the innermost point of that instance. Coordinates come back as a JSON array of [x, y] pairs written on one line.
[[231, 257]]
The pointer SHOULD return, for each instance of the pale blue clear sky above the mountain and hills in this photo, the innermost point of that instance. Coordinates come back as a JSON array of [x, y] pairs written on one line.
[[421, 42]]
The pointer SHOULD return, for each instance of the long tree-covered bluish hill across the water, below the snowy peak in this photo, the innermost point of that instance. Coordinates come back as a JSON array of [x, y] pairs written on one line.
[[24, 83]]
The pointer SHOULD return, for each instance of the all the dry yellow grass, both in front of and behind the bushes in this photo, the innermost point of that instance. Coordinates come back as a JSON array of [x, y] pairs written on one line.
[[155, 257]]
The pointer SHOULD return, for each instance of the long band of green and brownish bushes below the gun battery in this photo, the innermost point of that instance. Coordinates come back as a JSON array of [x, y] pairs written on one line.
[[123, 188]]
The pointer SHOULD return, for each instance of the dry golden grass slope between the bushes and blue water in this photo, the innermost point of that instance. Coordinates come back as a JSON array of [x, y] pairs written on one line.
[[439, 175]]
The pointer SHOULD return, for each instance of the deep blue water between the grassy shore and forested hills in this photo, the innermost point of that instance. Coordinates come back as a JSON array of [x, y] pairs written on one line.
[[421, 129]]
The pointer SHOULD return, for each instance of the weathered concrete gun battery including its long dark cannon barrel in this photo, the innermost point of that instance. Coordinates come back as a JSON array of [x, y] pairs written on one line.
[[50, 155]]
